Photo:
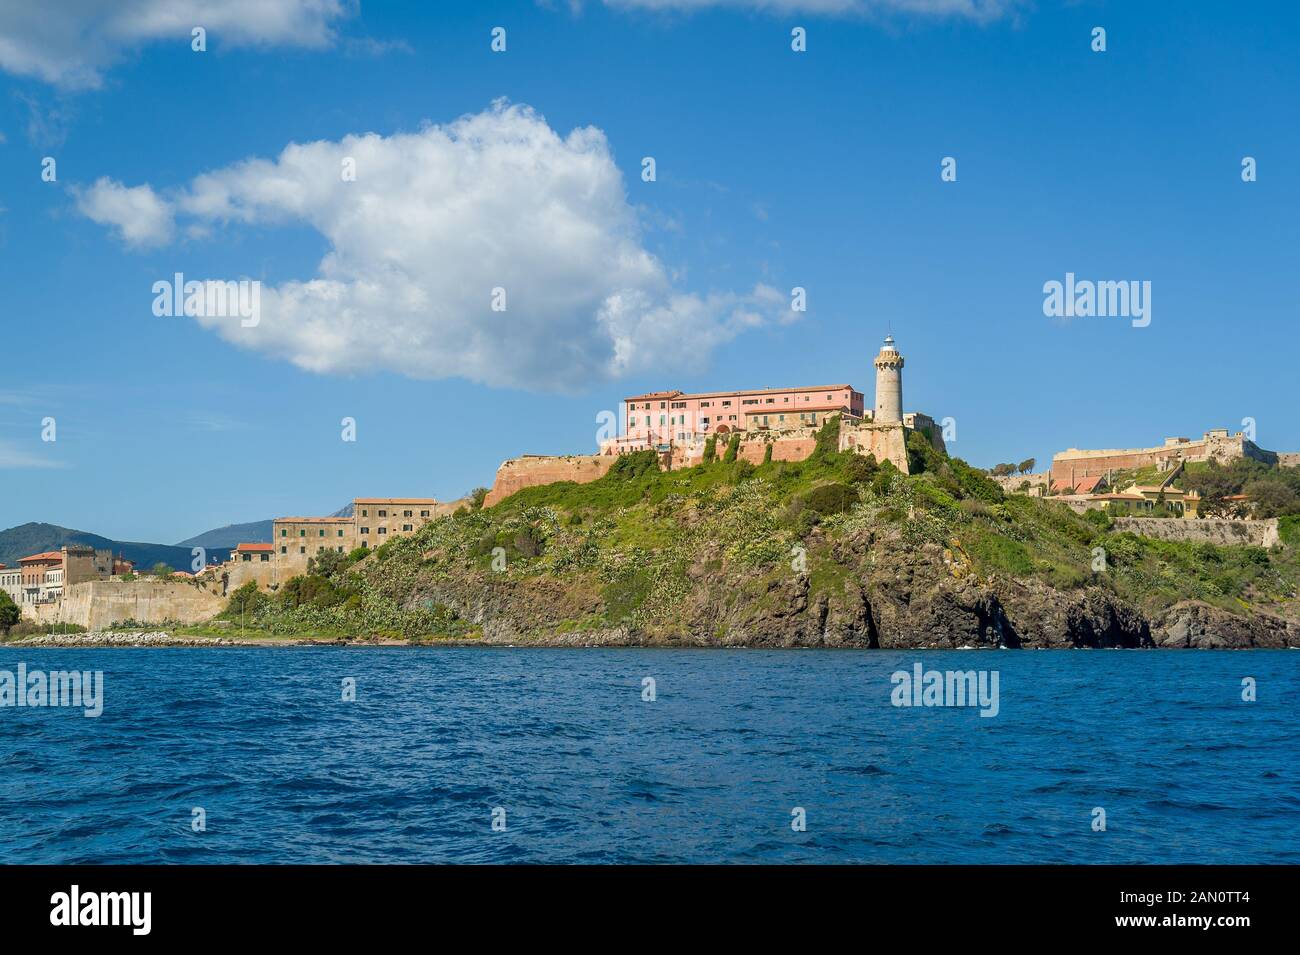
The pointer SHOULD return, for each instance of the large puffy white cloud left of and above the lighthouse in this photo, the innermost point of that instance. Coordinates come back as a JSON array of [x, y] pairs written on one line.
[[435, 222]]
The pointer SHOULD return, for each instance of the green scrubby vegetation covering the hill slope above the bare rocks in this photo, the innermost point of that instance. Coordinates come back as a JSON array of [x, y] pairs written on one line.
[[648, 548]]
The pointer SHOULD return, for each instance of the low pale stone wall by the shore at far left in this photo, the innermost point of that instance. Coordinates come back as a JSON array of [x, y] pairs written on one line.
[[99, 605]]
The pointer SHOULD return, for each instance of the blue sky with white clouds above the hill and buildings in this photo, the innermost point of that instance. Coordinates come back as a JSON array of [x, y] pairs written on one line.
[[775, 170]]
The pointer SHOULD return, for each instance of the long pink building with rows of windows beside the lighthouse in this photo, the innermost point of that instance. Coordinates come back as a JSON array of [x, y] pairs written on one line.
[[661, 419]]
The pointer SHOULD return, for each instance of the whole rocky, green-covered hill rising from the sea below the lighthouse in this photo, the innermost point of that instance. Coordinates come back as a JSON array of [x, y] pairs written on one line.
[[835, 550]]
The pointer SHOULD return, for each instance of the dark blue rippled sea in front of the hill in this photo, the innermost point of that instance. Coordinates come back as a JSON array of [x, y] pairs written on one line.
[[712, 771]]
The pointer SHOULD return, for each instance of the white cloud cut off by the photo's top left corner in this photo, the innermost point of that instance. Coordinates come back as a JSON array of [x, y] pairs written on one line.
[[72, 42]]
